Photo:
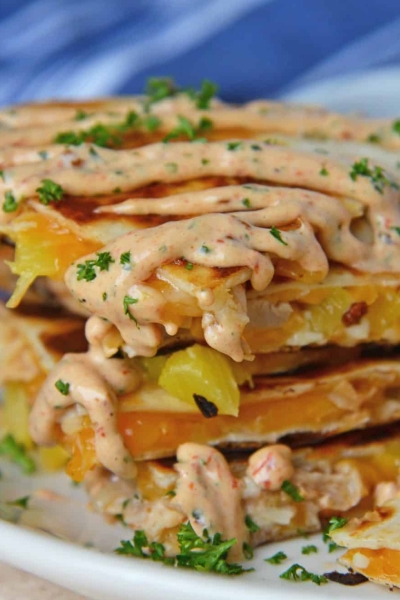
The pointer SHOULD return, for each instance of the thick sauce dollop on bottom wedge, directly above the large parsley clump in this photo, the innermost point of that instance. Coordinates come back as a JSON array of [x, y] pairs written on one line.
[[210, 495]]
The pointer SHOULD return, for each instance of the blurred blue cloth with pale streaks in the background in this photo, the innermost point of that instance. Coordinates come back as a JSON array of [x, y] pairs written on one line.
[[252, 48]]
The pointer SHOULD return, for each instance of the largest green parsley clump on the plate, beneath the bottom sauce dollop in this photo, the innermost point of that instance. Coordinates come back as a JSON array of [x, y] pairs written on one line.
[[202, 554]]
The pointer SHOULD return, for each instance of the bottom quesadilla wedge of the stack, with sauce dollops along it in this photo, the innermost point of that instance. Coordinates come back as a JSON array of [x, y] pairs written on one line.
[[338, 477]]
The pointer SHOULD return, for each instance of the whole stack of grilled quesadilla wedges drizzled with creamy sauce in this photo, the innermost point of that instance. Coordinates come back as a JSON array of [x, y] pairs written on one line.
[[238, 270]]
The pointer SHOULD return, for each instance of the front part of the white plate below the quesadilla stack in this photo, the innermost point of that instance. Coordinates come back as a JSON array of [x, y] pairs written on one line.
[[60, 554]]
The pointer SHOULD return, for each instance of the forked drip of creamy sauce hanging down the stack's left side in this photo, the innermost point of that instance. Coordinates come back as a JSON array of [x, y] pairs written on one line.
[[94, 382]]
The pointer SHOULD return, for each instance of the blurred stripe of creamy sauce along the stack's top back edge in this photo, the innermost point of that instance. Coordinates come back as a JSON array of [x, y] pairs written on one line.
[[30, 125]]
